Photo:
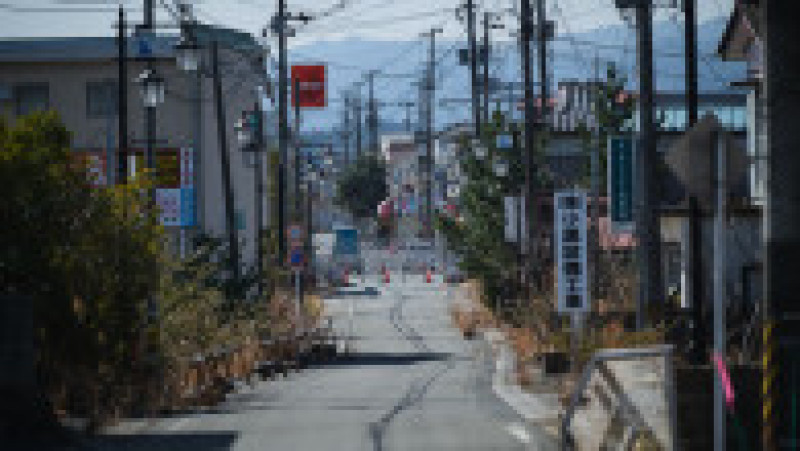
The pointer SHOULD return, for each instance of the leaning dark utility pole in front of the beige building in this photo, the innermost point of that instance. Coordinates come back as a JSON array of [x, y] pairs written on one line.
[[233, 239]]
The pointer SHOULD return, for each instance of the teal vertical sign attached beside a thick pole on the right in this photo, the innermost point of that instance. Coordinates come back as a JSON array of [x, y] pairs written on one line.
[[621, 154]]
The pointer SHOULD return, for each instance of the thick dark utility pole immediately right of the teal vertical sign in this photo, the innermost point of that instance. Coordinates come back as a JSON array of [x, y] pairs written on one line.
[[649, 237]]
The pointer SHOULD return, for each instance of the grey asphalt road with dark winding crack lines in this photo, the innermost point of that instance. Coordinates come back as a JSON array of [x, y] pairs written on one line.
[[411, 383]]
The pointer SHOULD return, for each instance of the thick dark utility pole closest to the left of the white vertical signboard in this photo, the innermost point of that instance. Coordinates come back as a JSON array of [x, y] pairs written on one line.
[[530, 170]]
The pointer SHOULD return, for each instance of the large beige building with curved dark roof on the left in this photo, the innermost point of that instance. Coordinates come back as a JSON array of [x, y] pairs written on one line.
[[78, 78]]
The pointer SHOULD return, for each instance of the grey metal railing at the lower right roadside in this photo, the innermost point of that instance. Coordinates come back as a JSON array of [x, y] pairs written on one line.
[[635, 423]]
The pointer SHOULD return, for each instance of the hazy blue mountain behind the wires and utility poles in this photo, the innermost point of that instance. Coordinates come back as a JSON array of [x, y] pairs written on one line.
[[571, 57]]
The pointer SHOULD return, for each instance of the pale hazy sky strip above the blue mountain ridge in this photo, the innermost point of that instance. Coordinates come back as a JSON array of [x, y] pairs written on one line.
[[364, 19]]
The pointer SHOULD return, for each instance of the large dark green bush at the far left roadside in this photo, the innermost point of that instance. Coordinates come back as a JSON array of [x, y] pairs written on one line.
[[87, 257]]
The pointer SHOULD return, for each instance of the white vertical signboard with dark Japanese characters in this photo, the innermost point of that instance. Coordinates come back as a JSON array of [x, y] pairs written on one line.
[[570, 222]]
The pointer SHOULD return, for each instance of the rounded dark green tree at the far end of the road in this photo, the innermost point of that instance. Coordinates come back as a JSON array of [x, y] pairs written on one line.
[[363, 186]]
